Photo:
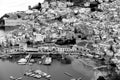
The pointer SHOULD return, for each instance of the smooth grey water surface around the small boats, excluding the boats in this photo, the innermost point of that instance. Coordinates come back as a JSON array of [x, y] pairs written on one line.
[[10, 67]]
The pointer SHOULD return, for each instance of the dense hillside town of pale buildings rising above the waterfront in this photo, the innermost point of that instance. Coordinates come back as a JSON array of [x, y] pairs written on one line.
[[90, 29]]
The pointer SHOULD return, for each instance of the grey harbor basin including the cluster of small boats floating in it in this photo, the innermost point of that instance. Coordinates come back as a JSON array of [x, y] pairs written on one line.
[[55, 71]]
